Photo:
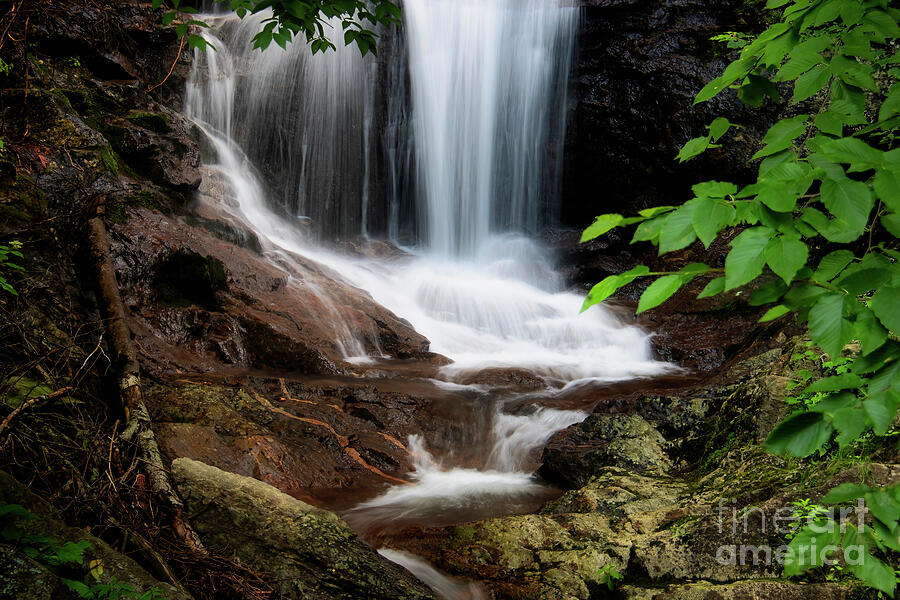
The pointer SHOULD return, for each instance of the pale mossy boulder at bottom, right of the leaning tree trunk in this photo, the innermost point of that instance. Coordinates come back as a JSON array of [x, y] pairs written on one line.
[[312, 552]]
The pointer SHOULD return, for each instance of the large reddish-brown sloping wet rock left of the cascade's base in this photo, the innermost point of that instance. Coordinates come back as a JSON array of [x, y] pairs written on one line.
[[295, 315]]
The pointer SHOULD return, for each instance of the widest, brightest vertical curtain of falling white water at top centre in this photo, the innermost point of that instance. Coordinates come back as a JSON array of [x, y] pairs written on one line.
[[486, 78]]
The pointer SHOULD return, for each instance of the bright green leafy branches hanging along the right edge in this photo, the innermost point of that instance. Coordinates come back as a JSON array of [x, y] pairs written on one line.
[[828, 186]]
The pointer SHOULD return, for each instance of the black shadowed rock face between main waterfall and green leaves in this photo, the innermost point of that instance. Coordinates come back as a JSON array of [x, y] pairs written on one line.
[[639, 66]]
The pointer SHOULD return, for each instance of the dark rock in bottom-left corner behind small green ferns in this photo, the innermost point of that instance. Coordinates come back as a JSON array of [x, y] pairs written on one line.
[[31, 580]]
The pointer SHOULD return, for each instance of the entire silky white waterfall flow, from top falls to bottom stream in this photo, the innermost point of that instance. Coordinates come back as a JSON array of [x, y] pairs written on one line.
[[460, 165]]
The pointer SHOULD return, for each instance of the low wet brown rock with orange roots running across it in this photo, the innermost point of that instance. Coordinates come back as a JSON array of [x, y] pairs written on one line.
[[304, 440]]
